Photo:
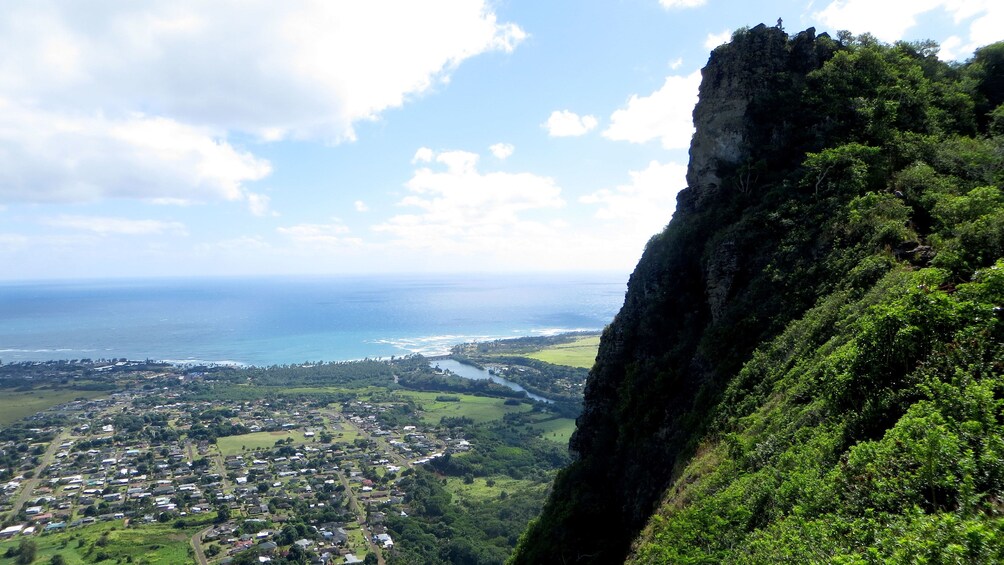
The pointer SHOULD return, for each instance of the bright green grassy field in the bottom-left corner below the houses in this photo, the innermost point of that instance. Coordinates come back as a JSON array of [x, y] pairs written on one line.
[[151, 543]]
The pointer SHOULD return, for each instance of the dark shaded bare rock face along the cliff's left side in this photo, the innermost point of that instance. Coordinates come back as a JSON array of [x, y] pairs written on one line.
[[642, 402]]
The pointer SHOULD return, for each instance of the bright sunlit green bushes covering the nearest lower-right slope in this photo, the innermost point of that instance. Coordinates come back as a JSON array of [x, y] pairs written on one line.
[[873, 421]]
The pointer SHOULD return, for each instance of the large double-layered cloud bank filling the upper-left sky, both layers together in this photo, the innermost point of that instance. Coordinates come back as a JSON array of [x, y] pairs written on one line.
[[138, 100]]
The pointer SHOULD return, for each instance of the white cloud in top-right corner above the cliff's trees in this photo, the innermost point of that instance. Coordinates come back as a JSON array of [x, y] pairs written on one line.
[[890, 21]]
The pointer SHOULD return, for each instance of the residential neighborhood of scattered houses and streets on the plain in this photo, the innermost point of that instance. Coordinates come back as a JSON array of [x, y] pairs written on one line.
[[274, 475]]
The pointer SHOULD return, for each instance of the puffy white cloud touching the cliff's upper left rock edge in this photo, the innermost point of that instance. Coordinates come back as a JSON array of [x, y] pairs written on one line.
[[666, 115]]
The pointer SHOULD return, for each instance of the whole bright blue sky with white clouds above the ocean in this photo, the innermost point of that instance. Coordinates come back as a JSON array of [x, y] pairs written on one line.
[[182, 138]]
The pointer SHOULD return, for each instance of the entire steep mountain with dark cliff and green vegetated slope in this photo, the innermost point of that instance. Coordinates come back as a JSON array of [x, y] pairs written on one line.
[[809, 363]]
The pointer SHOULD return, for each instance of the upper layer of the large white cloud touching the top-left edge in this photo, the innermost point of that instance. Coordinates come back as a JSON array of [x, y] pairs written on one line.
[[277, 70]]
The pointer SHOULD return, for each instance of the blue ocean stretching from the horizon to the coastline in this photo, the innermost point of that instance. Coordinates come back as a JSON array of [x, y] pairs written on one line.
[[265, 322]]
